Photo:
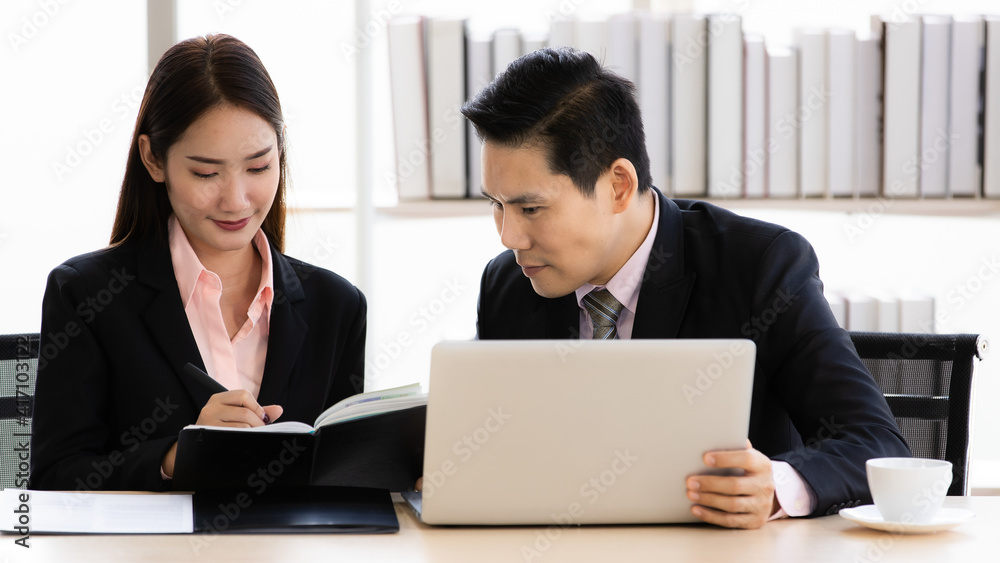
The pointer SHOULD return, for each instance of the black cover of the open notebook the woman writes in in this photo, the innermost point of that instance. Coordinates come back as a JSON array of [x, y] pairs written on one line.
[[384, 451]]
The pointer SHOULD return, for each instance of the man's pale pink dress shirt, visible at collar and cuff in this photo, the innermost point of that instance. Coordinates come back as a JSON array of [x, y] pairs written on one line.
[[794, 494]]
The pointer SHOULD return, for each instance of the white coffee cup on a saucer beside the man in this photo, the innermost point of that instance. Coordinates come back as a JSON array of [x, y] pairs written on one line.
[[908, 490]]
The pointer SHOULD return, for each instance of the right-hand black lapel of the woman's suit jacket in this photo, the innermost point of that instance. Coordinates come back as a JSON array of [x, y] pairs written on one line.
[[286, 333]]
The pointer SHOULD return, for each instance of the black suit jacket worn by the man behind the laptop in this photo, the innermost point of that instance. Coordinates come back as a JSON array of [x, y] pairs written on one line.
[[715, 274]]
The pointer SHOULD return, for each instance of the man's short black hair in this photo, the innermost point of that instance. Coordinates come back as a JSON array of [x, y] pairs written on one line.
[[562, 100]]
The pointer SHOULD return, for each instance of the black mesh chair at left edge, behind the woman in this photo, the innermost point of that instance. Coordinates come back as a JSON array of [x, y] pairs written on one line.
[[18, 366]]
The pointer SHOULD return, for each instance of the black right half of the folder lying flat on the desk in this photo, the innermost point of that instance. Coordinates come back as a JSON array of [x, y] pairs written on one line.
[[351, 510]]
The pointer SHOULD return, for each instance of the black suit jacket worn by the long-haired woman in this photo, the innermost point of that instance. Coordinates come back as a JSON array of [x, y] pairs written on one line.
[[111, 396]]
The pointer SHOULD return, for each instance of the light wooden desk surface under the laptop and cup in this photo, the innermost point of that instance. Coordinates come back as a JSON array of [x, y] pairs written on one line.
[[831, 538]]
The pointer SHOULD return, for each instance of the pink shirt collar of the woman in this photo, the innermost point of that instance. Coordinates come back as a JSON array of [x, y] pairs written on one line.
[[189, 270]]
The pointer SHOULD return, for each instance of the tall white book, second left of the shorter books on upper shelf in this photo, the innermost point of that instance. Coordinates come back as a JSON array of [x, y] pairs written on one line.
[[687, 105]]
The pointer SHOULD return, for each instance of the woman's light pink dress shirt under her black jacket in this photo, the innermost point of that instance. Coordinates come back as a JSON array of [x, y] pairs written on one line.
[[236, 363]]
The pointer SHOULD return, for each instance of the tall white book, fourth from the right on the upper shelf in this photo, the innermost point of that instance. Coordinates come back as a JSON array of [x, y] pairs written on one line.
[[901, 122]]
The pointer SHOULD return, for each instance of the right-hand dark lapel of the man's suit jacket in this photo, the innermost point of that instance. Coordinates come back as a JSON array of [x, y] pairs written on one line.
[[666, 288]]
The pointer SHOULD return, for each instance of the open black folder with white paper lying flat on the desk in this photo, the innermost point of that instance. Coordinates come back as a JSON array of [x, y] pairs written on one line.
[[276, 509]]
